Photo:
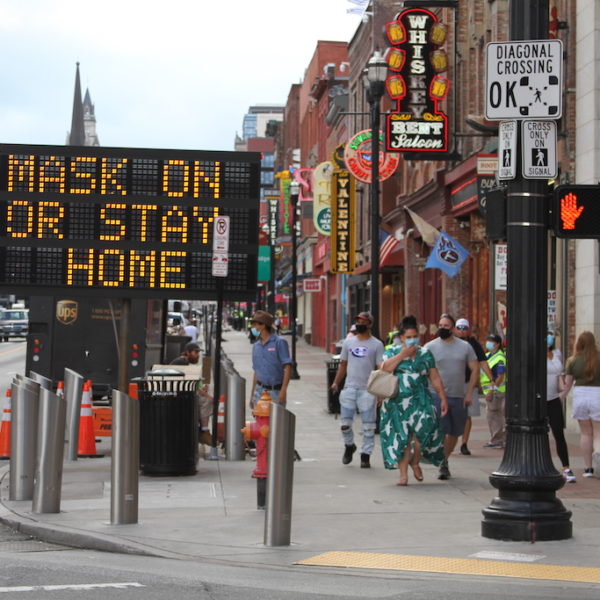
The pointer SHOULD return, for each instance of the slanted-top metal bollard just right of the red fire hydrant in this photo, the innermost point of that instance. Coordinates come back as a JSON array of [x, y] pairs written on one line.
[[280, 478]]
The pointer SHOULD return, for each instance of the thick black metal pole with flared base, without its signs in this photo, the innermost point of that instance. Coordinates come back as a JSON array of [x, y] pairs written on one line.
[[526, 508]]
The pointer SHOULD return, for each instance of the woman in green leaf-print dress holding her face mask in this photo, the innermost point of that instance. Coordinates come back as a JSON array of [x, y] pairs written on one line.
[[411, 413]]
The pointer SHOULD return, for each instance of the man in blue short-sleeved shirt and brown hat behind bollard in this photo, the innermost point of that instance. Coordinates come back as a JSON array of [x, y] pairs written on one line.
[[271, 360]]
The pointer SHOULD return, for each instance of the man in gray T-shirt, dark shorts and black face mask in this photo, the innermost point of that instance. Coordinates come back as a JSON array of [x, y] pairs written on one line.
[[452, 356]]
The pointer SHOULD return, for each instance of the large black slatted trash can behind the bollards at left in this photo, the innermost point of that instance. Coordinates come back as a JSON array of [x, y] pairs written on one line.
[[168, 426]]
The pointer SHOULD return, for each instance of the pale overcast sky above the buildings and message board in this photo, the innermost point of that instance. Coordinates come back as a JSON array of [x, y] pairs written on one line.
[[171, 74]]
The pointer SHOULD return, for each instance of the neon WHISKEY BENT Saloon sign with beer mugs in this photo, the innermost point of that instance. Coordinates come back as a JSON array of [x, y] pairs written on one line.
[[415, 60]]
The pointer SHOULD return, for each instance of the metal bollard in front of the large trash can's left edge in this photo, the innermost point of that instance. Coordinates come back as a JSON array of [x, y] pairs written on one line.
[[125, 460]]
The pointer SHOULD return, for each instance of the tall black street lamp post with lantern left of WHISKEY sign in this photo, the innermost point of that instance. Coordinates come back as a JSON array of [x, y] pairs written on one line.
[[374, 81]]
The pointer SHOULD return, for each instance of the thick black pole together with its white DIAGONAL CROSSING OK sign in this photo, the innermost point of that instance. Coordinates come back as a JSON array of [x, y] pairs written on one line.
[[523, 80]]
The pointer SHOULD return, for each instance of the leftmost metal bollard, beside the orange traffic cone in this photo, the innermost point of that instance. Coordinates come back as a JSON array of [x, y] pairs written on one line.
[[25, 408]]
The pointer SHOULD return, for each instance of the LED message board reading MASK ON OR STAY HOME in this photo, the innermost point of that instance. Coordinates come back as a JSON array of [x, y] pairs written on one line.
[[126, 222]]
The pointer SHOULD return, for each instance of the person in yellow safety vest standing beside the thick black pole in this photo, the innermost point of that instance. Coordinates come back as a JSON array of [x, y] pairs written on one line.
[[495, 390]]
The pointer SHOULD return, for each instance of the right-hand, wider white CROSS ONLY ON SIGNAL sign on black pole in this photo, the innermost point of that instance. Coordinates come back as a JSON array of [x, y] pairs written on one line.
[[539, 149]]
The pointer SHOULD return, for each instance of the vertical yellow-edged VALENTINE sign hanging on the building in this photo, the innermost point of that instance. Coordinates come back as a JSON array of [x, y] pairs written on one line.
[[342, 222]]
